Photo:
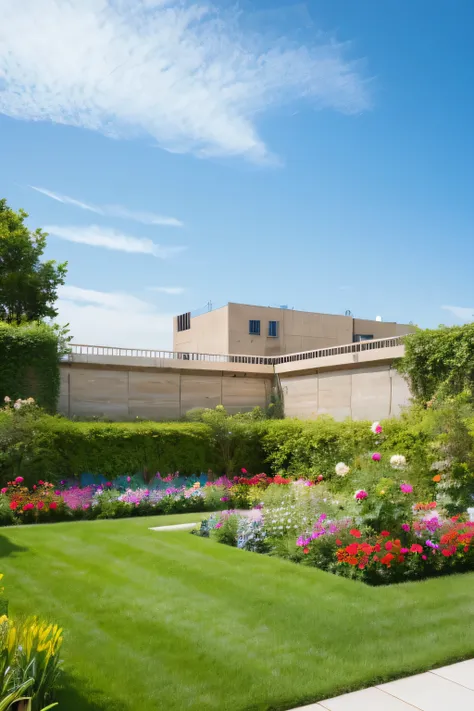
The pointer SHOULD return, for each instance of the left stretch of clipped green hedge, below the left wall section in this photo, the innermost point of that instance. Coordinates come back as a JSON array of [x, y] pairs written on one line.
[[54, 448]]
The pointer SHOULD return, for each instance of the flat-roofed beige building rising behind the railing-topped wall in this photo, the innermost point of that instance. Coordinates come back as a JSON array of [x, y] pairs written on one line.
[[266, 331]]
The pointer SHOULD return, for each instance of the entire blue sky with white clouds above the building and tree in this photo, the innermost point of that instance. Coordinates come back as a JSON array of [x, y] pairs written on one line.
[[316, 154]]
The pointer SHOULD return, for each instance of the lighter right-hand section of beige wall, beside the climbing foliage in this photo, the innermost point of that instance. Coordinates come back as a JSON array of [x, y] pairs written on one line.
[[371, 393]]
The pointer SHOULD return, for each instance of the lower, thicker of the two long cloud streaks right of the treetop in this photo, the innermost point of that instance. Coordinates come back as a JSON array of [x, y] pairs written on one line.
[[111, 239]]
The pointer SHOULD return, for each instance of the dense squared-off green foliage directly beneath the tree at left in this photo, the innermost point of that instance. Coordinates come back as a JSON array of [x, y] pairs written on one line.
[[29, 363]]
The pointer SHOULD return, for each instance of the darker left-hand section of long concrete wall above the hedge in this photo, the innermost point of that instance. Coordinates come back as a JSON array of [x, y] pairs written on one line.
[[124, 393]]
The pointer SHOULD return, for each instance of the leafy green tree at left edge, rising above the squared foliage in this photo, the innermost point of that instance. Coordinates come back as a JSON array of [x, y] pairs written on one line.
[[28, 286]]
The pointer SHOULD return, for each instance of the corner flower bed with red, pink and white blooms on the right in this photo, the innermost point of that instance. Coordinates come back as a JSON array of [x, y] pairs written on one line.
[[377, 532]]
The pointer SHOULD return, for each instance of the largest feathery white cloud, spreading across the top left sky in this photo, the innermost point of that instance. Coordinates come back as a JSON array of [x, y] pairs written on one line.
[[185, 74]]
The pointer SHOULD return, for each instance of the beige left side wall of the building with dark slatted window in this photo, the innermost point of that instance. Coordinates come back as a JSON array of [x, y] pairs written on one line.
[[209, 333]]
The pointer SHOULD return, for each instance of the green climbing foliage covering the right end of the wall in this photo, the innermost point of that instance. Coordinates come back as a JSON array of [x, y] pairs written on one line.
[[439, 361]]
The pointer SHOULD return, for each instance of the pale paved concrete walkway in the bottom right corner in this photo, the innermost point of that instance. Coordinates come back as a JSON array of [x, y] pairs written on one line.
[[446, 689]]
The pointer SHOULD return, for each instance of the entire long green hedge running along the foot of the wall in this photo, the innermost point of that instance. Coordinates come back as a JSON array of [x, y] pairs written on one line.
[[54, 448]]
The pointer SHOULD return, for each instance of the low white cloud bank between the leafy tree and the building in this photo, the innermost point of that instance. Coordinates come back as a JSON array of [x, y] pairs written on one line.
[[113, 319]]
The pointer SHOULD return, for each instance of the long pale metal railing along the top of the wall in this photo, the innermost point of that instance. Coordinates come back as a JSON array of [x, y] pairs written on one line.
[[112, 352]]
